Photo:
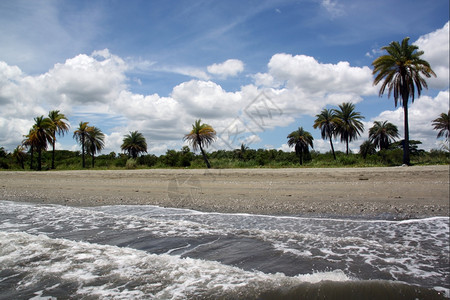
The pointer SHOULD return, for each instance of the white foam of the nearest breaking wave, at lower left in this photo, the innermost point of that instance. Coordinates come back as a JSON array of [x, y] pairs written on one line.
[[131, 273]]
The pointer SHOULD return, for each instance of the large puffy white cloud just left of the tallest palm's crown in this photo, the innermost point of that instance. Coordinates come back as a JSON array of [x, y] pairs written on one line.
[[300, 85]]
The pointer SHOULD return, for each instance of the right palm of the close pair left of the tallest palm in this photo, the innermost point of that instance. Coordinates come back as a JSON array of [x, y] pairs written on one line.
[[348, 124]]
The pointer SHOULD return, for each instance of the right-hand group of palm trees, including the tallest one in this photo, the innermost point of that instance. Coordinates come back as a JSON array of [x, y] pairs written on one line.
[[400, 72]]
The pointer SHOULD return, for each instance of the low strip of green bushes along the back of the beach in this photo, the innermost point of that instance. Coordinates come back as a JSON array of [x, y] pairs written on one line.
[[251, 158]]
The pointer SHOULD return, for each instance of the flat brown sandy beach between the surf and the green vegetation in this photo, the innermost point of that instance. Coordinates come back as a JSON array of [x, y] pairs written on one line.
[[391, 193]]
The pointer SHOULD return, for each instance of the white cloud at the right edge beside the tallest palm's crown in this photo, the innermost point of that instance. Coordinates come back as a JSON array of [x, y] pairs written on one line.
[[436, 51]]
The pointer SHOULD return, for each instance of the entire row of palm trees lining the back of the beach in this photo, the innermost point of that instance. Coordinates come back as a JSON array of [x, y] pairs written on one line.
[[400, 72]]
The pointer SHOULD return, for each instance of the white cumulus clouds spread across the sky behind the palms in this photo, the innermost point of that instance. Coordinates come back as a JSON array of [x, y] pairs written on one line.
[[95, 88]]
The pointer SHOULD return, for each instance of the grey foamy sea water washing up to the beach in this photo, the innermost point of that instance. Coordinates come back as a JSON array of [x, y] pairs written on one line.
[[147, 252]]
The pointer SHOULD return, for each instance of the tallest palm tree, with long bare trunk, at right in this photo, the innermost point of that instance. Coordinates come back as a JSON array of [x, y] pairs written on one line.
[[401, 70]]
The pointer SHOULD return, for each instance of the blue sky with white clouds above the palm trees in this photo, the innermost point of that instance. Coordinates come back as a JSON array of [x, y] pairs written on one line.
[[253, 70]]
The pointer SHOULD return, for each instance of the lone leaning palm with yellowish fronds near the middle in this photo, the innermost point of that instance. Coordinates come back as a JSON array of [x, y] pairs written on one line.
[[201, 135]]
